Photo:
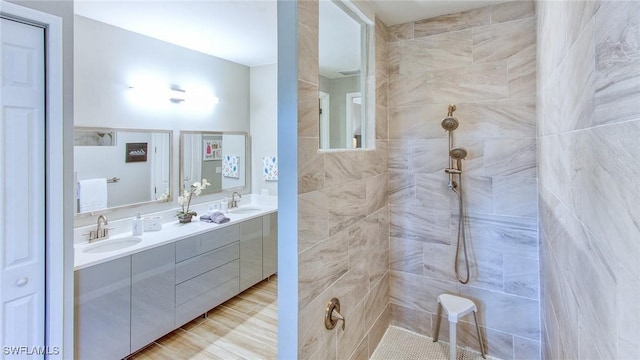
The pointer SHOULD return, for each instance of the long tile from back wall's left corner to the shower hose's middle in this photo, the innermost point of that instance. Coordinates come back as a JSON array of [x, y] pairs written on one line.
[[420, 224]]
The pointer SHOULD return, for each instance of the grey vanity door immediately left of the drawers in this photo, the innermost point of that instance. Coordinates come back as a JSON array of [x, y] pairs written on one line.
[[152, 295]]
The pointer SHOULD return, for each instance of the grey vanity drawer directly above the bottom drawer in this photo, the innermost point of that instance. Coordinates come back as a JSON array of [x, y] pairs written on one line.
[[201, 284]]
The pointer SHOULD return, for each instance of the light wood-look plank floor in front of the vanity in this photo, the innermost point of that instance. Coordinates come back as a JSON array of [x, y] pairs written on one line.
[[245, 327]]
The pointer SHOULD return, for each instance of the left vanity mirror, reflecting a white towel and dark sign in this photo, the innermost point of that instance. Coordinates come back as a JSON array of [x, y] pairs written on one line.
[[116, 168]]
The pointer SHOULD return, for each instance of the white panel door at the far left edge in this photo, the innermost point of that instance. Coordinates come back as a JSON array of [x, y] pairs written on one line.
[[22, 190]]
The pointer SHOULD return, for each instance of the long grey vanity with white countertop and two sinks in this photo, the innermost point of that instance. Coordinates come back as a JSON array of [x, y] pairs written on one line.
[[127, 298]]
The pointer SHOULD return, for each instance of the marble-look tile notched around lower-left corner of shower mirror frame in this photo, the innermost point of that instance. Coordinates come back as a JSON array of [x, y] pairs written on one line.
[[310, 165]]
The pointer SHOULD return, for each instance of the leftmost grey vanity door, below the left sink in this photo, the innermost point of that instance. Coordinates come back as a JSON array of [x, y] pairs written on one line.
[[102, 305]]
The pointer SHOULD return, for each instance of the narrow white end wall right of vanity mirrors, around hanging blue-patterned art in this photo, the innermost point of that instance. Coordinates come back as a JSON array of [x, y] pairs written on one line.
[[264, 124]]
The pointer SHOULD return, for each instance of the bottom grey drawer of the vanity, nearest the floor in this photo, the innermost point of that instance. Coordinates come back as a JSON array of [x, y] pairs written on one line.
[[203, 303]]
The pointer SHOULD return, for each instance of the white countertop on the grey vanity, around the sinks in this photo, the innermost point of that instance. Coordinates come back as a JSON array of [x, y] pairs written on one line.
[[171, 232]]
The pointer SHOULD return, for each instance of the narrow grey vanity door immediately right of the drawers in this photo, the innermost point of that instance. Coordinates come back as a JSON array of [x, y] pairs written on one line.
[[250, 253]]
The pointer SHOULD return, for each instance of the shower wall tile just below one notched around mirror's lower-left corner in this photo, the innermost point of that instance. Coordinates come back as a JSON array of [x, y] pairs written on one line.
[[313, 219]]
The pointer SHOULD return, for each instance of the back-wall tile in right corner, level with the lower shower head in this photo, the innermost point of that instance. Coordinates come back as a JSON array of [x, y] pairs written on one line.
[[510, 157]]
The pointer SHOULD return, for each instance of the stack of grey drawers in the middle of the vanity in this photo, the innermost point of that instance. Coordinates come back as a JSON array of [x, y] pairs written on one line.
[[207, 272]]
